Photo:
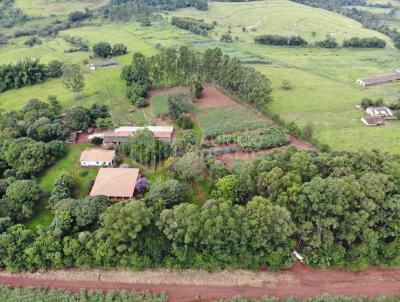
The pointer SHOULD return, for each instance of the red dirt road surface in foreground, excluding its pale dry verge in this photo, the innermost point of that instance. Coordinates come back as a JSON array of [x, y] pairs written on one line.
[[299, 281]]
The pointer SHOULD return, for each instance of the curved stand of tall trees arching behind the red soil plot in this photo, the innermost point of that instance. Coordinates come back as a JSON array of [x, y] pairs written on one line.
[[183, 67]]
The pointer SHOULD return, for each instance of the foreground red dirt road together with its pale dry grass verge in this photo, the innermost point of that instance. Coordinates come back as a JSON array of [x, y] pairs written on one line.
[[300, 281]]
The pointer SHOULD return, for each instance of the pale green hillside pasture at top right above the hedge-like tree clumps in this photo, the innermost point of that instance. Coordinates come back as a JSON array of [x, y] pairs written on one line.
[[281, 17]]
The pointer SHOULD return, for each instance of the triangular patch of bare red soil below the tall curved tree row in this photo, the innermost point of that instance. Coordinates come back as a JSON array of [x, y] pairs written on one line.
[[211, 97]]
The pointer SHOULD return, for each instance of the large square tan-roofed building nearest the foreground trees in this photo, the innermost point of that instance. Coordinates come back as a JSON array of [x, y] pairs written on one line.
[[115, 183]]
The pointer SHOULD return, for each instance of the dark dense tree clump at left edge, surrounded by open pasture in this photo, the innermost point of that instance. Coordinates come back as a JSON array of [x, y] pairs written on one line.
[[28, 72]]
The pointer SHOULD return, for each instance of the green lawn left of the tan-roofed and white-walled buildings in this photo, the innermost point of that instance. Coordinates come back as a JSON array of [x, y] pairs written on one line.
[[68, 165]]
